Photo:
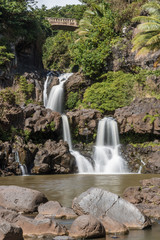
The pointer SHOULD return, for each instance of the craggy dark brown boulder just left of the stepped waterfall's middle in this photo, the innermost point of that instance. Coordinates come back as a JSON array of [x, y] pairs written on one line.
[[41, 123]]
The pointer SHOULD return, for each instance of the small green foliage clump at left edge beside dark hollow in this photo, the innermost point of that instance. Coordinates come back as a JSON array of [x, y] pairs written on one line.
[[5, 57]]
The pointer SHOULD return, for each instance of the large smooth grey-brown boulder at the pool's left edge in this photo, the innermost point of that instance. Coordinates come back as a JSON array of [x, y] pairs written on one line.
[[21, 199]]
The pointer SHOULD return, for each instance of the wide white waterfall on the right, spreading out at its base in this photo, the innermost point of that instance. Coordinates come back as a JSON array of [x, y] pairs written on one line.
[[106, 153]]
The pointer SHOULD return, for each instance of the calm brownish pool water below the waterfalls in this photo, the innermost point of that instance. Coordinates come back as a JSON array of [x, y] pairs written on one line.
[[64, 188]]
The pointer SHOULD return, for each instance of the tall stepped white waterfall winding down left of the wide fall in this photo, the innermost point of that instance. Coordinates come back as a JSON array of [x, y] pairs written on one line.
[[55, 102]]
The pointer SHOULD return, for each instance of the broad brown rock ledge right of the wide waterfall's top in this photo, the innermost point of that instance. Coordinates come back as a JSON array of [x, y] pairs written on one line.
[[141, 116]]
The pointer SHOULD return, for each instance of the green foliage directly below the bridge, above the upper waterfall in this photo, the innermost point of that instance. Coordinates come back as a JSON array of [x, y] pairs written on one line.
[[55, 51]]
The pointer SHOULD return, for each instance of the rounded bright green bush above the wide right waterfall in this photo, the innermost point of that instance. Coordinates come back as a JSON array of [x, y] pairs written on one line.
[[114, 92]]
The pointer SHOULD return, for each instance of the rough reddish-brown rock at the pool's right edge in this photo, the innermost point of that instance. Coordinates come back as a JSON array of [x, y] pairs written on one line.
[[146, 197]]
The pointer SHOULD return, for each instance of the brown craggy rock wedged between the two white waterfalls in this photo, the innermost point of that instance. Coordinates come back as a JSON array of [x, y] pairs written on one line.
[[84, 123]]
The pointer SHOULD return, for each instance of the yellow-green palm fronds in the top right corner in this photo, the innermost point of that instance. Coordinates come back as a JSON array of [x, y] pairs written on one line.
[[148, 37]]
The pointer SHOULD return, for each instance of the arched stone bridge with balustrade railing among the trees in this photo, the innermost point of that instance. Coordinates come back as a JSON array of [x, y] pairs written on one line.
[[63, 23]]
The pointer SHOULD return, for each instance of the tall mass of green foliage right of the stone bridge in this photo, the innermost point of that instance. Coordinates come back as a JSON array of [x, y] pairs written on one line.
[[93, 47]]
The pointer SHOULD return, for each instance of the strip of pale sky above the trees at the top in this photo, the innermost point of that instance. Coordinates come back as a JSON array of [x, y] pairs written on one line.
[[53, 3]]
